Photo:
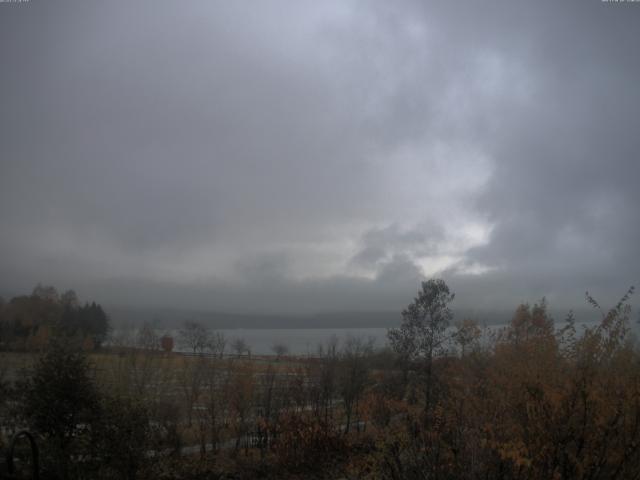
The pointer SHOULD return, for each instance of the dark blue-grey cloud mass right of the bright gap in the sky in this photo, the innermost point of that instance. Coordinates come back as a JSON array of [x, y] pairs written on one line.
[[563, 194]]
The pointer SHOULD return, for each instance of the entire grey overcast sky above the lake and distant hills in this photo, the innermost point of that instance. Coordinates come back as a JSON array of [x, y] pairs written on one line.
[[311, 156]]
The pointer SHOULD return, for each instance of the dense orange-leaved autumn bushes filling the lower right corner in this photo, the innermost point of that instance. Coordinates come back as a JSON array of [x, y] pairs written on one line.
[[540, 403]]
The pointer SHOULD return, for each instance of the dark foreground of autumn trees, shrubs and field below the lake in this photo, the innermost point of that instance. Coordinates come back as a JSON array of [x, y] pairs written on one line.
[[533, 400]]
